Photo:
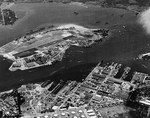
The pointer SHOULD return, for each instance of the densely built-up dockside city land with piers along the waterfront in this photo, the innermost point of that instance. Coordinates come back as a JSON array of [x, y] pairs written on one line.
[[101, 94]]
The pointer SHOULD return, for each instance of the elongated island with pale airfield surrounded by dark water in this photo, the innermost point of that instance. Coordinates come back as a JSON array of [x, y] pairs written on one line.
[[48, 45]]
